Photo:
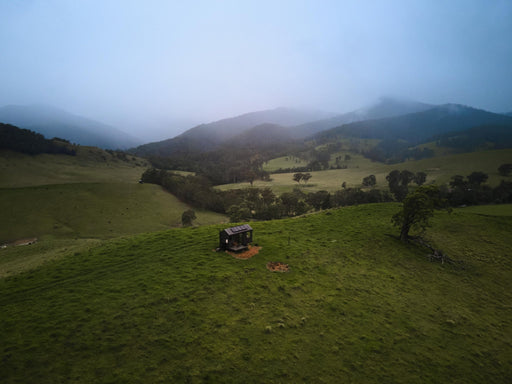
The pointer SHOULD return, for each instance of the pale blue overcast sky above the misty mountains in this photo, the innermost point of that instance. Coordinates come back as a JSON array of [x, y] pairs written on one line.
[[155, 68]]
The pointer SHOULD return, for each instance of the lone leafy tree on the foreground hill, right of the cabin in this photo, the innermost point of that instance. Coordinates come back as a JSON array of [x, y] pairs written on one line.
[[417, 209]]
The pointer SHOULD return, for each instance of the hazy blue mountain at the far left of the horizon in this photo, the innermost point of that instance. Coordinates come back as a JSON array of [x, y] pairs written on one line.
[[53, 122]]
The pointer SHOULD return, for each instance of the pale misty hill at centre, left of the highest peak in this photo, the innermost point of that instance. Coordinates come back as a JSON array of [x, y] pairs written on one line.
[[209, 136]]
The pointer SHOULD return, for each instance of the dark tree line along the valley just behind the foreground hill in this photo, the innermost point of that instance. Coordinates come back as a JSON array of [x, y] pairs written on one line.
[[262, 204]]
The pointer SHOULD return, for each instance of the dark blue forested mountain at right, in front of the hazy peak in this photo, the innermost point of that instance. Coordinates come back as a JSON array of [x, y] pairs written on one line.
[[417, 127]]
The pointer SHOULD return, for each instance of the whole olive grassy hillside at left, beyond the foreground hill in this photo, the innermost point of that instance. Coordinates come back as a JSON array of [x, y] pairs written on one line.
[[70, 202]]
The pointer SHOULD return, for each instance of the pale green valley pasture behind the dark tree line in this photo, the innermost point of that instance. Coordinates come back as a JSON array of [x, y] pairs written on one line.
[[439, 170]]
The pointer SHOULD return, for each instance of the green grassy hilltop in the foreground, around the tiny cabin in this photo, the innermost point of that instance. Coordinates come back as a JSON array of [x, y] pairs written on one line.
[[356, 306]]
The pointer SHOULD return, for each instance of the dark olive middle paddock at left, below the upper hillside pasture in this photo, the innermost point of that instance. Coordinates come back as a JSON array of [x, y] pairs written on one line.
[[94, 210]]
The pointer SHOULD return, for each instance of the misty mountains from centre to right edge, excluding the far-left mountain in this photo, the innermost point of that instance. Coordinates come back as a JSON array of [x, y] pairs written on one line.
[[390, 119]]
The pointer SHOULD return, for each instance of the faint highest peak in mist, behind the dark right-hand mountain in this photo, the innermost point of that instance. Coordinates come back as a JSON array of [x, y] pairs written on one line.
[[385, 107]]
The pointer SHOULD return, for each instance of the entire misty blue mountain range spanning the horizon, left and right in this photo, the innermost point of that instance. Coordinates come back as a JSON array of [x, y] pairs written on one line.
[[390, 119]]
